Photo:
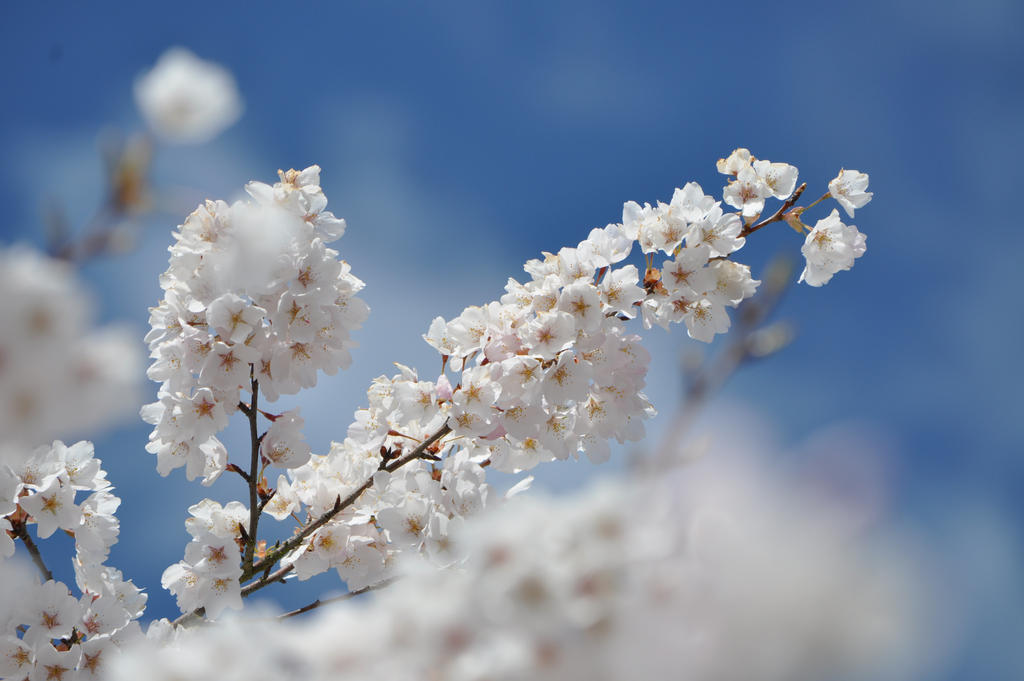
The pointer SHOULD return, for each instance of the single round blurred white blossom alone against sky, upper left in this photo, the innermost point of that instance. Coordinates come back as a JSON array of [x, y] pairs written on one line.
[[186, 100]]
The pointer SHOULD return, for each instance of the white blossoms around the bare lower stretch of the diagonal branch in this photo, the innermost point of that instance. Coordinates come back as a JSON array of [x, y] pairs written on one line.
[[408, 508]]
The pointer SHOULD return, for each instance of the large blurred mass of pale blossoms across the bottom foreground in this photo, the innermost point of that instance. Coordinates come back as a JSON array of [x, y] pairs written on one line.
[[735, 577]]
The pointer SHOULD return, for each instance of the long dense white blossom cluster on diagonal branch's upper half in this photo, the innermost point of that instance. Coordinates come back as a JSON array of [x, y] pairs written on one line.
[[550, 371]]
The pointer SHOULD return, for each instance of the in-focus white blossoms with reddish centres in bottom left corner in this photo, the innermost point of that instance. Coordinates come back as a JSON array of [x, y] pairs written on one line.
[[46, 632]]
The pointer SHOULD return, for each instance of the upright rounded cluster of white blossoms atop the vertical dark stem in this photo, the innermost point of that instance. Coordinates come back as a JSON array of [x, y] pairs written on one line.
[[252, 294]]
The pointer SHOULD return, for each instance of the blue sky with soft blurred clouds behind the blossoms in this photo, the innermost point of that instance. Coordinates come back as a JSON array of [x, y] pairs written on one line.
[[461, 140]]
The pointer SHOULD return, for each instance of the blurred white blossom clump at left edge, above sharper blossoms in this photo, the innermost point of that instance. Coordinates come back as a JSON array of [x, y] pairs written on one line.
[[58, 375]]
